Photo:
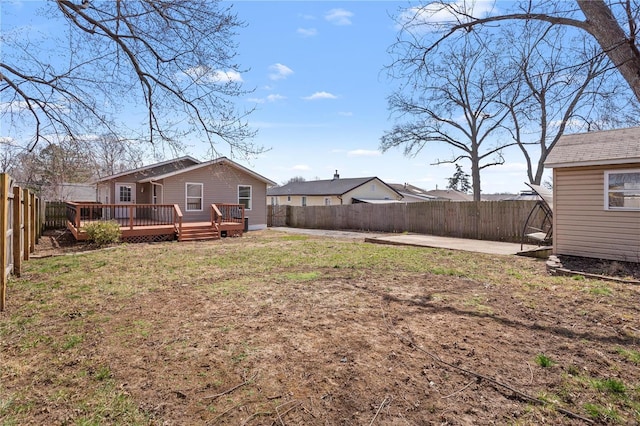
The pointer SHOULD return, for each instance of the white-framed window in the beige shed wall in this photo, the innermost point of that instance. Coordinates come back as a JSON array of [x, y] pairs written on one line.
[[622, 190]]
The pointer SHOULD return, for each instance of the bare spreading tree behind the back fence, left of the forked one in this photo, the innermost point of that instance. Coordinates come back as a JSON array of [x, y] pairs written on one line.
[[455, 100]]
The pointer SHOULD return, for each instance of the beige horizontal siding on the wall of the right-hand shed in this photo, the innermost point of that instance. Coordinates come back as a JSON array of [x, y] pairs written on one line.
[[582, 226]]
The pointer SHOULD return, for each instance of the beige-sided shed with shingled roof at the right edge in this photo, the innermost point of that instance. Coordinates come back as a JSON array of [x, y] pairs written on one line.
[[596, 193]]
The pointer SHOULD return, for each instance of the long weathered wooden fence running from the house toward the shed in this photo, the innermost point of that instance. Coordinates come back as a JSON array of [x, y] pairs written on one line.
[[483, 220]]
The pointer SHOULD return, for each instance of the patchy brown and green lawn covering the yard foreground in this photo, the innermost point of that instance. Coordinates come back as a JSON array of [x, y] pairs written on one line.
[[276, 329]]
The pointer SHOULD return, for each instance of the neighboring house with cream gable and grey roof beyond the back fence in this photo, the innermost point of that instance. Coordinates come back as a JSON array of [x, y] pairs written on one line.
[[336, 191]]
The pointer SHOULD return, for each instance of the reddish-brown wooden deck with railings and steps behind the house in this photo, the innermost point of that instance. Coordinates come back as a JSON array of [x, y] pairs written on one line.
[[154, 222]]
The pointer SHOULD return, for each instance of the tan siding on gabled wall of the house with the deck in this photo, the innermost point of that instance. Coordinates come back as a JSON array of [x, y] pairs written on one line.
[[220, 185]]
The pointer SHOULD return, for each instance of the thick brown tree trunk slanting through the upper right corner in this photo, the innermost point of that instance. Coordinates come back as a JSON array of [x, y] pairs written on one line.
[[622, 51]]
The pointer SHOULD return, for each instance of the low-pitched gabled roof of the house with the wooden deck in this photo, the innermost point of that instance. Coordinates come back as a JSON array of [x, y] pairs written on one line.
[[166, 169]]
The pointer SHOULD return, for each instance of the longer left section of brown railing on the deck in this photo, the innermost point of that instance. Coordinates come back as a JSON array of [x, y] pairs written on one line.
[[127, 215]]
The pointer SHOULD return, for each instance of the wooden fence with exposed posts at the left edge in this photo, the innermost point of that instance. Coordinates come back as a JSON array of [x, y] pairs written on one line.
[[20, 225]]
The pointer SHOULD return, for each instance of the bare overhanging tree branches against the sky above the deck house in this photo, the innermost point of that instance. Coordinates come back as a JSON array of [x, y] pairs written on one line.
[[170, 63]]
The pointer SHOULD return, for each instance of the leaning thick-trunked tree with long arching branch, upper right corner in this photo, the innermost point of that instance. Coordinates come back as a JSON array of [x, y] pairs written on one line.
[[614, 26]]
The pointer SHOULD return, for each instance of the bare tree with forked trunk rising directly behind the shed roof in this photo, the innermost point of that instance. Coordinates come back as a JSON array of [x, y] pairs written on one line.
[[557, 91]]
